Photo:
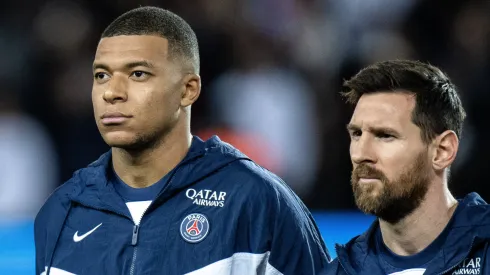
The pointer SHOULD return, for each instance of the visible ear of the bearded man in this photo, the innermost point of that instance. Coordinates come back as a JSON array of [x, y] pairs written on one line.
[[446, 147]]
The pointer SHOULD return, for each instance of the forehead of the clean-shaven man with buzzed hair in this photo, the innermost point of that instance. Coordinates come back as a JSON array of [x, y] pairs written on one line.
[[123, 48]]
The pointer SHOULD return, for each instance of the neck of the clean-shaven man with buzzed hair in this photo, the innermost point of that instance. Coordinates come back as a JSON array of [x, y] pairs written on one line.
[[145, 167]]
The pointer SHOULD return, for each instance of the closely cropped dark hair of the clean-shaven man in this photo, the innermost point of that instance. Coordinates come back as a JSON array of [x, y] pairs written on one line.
[[182, 40]]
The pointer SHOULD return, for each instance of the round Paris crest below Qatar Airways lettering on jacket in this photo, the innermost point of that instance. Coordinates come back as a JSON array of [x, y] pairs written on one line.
[[194, 228]]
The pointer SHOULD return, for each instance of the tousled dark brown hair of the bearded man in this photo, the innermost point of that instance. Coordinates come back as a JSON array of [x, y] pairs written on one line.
[[438, 107]]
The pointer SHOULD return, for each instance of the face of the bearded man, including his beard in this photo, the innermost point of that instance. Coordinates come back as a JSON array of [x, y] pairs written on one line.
[[391, 167]]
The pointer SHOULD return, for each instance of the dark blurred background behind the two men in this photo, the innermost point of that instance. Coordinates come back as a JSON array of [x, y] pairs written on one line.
[[271, 72]]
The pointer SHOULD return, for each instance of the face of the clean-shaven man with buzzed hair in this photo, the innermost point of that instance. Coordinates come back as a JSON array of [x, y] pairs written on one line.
[[136, 90]]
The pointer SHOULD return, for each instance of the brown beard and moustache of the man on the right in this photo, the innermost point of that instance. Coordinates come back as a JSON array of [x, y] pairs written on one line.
[[394, 199]]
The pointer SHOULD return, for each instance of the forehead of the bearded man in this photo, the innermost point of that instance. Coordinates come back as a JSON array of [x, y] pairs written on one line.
[[384, 109]]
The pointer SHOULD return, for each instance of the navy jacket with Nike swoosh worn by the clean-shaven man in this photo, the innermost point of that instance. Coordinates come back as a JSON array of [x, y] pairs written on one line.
[[219, 213]]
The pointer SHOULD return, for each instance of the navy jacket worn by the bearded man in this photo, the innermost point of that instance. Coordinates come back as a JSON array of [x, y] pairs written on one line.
[[464, 251]]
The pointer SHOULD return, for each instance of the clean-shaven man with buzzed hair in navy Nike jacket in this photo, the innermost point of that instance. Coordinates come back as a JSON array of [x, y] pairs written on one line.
[[163, 201]]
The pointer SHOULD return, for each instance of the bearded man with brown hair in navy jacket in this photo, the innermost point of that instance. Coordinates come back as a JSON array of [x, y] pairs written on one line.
[[405, 133]]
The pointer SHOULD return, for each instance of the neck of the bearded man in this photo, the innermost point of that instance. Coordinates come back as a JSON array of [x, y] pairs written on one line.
[[419, 229]]
